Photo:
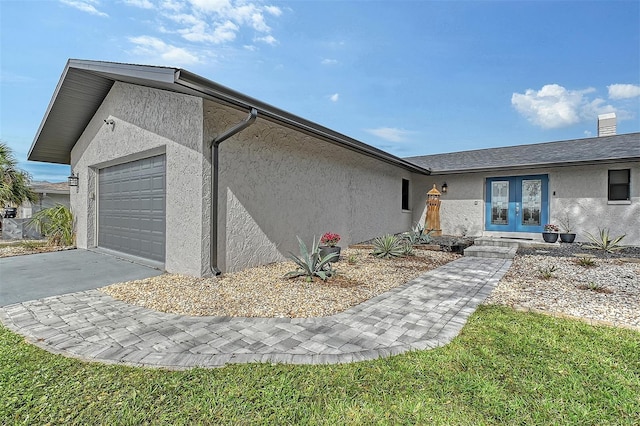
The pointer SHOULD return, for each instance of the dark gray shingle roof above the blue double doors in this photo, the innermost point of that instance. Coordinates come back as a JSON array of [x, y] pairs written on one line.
[[578, 151]]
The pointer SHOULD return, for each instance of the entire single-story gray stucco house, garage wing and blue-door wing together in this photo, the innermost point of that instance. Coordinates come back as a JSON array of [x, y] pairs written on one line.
[[181, 171]]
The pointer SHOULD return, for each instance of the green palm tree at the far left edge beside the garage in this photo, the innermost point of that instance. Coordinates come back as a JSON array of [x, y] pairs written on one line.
[[14, 183]]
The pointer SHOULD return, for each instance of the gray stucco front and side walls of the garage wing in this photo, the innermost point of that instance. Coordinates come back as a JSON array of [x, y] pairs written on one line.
[[275, 183]]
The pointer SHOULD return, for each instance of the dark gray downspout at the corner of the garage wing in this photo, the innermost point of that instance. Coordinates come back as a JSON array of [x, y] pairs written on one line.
[[213, 226]]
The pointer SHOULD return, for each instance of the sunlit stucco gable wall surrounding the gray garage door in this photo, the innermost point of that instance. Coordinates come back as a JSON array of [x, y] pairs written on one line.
[[147, 122]]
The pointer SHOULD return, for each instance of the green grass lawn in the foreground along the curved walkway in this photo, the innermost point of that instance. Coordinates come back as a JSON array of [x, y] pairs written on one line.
[[505, 367]]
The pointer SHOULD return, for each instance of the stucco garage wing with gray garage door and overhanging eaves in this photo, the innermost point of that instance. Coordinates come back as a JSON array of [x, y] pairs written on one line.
[[139, 139]]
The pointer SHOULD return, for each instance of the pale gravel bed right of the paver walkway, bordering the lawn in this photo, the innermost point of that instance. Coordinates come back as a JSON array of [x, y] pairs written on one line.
[[608, 292]]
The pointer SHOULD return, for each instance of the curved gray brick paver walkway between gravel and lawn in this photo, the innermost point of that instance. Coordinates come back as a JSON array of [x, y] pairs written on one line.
[[424, 313]]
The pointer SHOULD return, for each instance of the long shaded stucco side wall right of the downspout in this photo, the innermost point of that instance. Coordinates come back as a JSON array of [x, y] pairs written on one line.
[[277, 183]]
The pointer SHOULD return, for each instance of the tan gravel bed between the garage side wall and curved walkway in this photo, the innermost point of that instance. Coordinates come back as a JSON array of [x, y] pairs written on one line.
[[264, 292]]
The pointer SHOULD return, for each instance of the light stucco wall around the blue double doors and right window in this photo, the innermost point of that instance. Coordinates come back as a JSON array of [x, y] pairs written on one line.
[[580, 191]]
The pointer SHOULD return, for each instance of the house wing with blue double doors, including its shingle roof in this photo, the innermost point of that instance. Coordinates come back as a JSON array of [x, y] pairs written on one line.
[[514, 191]]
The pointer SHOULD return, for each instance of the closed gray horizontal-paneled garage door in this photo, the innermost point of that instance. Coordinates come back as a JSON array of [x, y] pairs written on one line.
[[131, 208]]
